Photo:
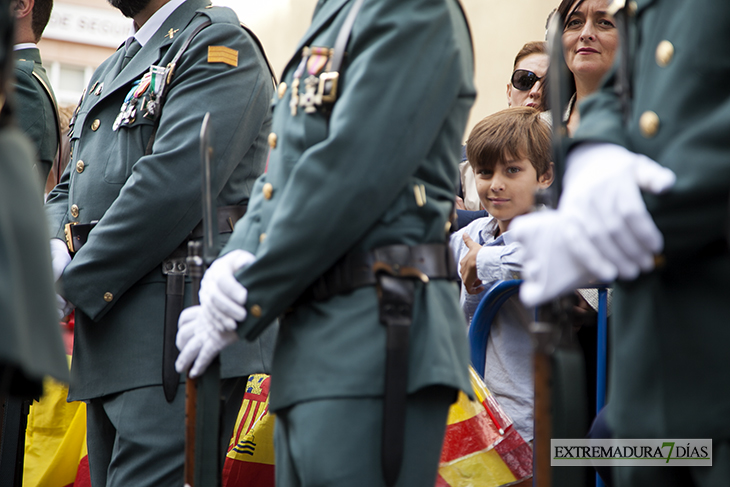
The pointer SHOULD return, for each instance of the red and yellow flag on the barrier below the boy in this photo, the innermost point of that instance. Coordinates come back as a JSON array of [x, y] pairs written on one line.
[[481, 447]]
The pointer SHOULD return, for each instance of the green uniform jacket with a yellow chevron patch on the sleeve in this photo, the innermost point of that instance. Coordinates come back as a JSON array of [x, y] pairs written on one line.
[[147, 205]]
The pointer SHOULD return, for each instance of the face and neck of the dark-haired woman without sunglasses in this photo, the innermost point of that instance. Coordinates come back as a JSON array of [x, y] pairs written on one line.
[[590, 40]]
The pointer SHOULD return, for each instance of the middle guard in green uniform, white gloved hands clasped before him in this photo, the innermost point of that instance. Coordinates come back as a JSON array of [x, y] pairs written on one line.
[[346, 241]]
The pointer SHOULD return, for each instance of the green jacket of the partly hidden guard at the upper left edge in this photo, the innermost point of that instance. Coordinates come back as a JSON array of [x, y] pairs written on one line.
[[35, 107]]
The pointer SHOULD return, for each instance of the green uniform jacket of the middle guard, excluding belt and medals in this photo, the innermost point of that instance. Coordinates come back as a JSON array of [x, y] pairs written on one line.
[[347, 181]]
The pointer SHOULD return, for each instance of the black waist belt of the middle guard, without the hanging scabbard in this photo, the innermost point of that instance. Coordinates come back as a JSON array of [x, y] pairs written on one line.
[[358, 269]]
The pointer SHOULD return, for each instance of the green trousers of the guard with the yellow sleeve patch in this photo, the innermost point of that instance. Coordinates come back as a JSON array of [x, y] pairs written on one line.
[[137, 438]]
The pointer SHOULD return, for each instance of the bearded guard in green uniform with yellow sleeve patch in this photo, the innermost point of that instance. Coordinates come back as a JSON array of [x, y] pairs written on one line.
[[127, 204]]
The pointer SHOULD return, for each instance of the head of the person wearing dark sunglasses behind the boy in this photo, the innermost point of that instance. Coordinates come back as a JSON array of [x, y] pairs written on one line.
[[525, 88]]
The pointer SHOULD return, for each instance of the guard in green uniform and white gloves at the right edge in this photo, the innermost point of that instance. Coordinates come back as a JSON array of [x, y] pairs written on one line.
[[670, 377]]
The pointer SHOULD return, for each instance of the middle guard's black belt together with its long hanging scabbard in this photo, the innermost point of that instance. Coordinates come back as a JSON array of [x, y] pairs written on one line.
[[394, 269]]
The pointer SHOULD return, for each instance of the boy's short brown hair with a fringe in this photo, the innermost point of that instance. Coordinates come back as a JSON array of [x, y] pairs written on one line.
[[517, 132]]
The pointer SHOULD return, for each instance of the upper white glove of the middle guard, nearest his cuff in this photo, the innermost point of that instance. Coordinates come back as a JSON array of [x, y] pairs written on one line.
[[222, 297]]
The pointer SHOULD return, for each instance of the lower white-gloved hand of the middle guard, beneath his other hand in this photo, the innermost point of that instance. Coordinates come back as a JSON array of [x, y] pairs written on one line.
[[199, 342]]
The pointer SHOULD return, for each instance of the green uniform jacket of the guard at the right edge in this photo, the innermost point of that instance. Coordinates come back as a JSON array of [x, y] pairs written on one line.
[[670, 373]]
